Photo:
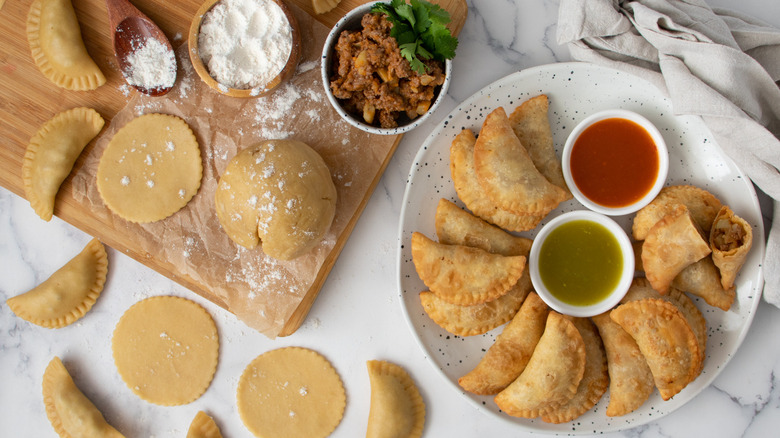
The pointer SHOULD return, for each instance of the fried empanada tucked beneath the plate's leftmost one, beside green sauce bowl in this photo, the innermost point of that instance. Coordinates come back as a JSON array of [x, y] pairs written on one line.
[[479, 318]]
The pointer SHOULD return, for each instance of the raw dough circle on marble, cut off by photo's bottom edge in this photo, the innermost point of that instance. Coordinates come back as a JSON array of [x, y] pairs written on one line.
[[290, 392]]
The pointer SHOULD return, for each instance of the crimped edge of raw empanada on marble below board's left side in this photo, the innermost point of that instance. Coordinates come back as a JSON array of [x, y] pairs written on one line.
[[97, 251]]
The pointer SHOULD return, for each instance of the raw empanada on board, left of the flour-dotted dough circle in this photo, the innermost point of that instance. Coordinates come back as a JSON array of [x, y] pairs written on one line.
[[51, 153]]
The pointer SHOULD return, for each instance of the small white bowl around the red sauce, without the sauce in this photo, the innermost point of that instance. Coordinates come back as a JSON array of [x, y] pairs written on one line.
[[663, 161]]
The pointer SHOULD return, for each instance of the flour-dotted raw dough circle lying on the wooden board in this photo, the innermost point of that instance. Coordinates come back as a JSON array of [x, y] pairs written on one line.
[[150, 169]]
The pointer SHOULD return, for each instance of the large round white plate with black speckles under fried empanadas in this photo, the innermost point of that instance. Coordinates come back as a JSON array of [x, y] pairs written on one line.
[[576, 90]]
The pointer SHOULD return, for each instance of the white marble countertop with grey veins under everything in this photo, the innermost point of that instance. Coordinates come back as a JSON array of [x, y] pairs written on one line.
[[357, 316]]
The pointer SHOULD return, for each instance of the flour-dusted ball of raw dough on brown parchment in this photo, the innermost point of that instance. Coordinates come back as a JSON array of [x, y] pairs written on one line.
[[278, 193]]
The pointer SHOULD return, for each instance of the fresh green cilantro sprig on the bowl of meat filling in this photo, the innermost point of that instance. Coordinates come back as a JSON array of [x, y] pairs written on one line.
[[420, 28]]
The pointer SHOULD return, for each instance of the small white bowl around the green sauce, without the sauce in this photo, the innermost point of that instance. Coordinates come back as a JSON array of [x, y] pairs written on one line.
[[614, 296]]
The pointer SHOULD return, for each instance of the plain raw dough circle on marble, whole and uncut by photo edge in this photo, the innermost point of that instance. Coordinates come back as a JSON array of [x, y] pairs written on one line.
[[166, 349]]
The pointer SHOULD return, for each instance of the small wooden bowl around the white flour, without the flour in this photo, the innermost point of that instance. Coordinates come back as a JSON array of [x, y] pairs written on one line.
[[203, 72]]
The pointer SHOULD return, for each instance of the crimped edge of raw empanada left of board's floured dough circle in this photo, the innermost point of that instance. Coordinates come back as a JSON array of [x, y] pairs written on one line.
[[91, 119]]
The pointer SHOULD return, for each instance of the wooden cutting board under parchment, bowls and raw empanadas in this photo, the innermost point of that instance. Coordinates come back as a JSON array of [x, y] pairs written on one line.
[[28, 99]]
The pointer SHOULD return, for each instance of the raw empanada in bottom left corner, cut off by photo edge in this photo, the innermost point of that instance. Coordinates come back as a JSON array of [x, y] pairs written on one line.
[[70, 412]]
